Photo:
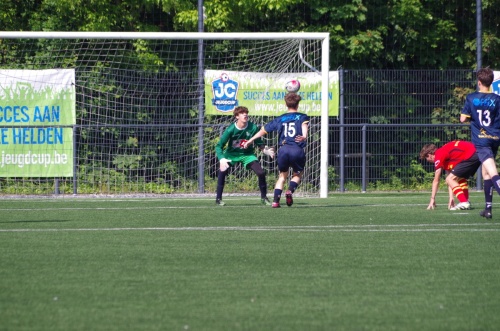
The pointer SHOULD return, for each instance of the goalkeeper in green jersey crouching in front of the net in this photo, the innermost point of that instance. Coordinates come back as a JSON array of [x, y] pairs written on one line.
[[230, 151]]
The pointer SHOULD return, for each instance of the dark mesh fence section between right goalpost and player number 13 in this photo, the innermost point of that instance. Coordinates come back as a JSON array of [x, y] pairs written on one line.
[[386, 116]]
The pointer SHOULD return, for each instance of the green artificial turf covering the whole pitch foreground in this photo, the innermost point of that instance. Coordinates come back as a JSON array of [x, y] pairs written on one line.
[[348, 262]]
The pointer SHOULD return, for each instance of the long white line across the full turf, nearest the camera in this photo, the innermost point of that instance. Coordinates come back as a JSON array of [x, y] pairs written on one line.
[[472, 227]]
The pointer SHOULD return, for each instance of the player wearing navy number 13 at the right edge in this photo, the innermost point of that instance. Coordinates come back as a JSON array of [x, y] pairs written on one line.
[[482, 109]]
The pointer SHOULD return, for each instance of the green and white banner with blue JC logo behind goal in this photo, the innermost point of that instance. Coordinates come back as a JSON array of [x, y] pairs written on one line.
[[263, 93]]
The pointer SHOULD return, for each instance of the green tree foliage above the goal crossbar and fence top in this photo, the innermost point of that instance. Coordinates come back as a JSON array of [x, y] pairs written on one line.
[[395, 34]]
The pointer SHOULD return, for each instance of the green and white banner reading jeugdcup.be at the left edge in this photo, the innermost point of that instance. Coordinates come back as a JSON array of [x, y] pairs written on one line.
[[37, 114]]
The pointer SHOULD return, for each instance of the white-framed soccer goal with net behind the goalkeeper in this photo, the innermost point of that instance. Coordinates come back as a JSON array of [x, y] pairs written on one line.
[[141, 113]]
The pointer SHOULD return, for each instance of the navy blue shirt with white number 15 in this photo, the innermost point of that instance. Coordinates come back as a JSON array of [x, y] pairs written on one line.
[[289, 126]]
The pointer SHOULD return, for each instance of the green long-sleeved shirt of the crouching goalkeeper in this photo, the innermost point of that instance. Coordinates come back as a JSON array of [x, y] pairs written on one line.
[[233, 137]]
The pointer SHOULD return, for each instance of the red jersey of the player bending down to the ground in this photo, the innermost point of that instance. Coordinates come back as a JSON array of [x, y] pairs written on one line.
[[452, 153]]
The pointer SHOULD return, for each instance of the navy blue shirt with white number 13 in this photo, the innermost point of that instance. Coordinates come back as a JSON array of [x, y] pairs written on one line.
[[483, 110]]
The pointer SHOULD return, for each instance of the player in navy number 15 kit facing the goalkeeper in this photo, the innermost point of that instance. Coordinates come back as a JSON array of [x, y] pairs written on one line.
[[292, 129]]
